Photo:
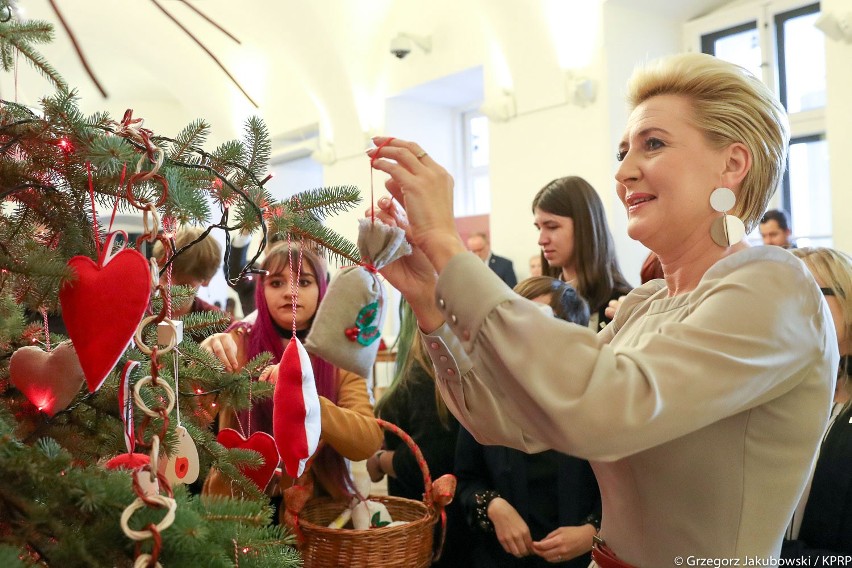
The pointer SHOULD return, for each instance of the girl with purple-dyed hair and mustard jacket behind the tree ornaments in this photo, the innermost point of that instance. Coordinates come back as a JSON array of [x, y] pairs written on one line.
[[349, 429]]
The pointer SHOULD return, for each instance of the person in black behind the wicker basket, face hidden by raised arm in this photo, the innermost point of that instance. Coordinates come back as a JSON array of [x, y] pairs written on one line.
[[412, 402]]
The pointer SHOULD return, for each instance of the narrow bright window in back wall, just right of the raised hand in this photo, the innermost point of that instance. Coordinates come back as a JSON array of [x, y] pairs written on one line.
[[474, 195]]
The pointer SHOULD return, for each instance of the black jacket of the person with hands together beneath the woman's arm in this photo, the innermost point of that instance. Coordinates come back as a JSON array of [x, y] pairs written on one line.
[[502, 469]]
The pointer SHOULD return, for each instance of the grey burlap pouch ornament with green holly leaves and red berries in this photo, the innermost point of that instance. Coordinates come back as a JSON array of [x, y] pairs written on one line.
[[348, 323]]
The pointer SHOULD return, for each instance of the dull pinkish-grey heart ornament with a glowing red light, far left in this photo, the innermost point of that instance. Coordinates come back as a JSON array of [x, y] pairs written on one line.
[[49, 379]]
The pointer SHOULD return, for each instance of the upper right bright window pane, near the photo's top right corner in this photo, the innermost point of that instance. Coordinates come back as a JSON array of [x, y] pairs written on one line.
[[804, 63]]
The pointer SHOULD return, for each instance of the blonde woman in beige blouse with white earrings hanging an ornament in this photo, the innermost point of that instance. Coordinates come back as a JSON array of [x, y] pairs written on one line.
[[701, 406]]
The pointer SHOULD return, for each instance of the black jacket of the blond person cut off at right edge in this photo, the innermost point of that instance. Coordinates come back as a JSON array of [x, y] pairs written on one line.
[[827, 521]]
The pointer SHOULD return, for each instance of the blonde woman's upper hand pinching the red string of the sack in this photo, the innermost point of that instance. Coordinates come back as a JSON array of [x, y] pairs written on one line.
[[425, 191]]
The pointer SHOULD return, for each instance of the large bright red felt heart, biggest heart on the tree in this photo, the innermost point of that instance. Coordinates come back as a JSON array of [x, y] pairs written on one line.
[[120, 283]]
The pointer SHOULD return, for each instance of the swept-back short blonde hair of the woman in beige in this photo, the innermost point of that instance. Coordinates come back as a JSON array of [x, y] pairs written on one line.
[[730, 105]]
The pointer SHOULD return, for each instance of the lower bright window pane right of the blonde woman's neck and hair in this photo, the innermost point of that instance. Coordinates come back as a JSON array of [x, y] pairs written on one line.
[[810, 196]]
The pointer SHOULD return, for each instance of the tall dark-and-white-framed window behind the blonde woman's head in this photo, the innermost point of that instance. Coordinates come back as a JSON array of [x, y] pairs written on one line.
[[778, 42]]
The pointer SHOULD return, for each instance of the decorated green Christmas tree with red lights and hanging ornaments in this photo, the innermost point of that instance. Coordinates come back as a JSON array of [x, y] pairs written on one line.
[[62, 499]]
